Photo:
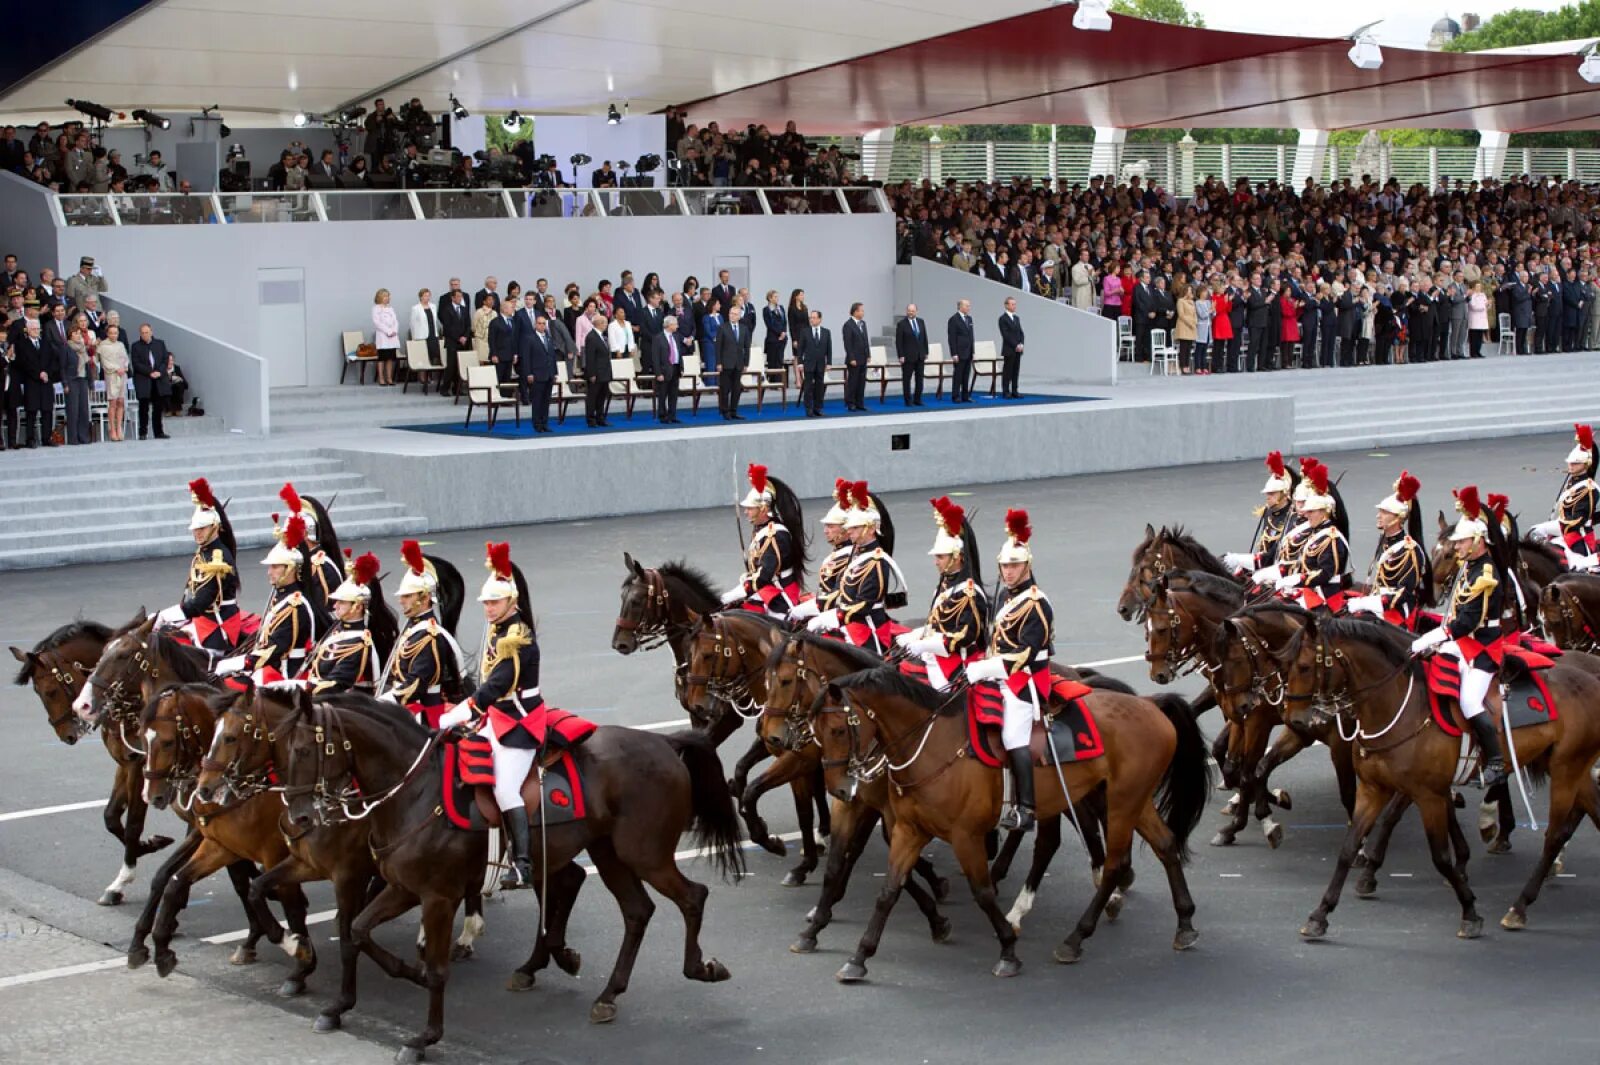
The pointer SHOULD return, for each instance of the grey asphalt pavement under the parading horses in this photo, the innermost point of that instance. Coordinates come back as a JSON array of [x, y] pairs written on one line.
[[1391, 984]]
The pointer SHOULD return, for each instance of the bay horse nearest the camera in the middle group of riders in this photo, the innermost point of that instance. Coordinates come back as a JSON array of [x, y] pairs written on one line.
[[1154, 776]]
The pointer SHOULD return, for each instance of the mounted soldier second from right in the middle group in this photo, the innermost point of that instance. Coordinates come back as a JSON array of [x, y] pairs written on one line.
[[958, 629]]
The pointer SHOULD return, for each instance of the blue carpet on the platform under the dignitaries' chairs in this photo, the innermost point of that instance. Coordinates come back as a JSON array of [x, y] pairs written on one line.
[[508, 429]]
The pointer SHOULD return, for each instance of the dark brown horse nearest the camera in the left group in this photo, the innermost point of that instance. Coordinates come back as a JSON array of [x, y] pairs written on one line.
[[642, 792]]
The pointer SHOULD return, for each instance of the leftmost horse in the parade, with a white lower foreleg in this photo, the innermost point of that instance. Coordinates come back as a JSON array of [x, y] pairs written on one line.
[[58, 668]]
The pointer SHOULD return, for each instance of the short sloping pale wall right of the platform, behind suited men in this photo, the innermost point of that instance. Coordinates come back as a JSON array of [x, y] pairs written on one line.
[[1063, 343]]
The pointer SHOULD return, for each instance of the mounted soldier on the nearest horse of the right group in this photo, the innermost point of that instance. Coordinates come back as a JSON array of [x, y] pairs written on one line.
[[1471, 631]]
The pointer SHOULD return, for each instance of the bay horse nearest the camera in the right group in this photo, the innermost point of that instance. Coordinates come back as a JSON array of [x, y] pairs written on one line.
[[1362, 676]]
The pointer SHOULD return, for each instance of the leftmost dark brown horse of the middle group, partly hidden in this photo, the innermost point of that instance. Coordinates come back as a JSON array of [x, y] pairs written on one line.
[[663, 605]]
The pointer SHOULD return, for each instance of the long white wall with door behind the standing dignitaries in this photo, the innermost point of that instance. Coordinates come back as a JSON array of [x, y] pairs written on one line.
[[204, 277]]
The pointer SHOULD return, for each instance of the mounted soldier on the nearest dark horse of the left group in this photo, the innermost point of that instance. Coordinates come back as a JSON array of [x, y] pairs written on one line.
[[508, 708]]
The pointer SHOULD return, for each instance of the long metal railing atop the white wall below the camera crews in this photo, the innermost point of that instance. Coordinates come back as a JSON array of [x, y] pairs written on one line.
[[378, 205]]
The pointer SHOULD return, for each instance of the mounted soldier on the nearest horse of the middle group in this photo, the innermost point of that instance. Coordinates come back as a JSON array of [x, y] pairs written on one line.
[[1020, 648]]
